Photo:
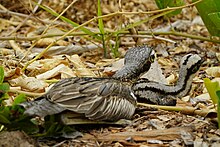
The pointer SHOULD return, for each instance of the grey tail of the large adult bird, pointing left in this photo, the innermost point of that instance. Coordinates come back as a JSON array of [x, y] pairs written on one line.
[[41, 107]]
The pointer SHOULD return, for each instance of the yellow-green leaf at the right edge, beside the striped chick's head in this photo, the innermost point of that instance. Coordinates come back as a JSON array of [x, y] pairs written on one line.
[[212, 87]]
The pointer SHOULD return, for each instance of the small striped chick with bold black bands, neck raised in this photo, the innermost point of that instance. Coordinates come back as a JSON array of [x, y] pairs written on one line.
[[161, 94]]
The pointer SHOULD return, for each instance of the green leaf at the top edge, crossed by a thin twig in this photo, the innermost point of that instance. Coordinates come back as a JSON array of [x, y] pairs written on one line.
[[162, 4]]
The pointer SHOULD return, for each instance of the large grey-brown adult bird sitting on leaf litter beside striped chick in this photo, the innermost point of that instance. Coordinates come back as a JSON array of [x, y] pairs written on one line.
[[100, 99]]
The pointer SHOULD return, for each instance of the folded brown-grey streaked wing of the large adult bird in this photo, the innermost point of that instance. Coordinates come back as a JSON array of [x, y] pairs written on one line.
[[97, 98]]
